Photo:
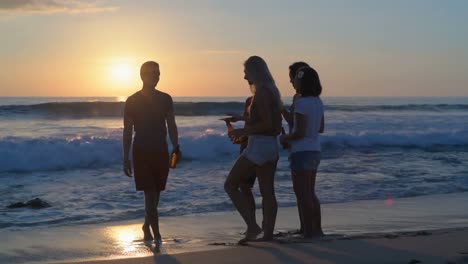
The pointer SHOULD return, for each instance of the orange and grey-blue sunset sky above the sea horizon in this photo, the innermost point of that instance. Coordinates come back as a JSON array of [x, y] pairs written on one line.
[[359, 48]]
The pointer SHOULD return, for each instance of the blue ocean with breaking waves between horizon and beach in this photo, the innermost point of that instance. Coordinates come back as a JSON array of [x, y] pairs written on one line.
[[67, 152]]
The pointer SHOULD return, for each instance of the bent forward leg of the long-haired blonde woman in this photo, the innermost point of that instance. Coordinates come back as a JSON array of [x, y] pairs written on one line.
[[238, 176]]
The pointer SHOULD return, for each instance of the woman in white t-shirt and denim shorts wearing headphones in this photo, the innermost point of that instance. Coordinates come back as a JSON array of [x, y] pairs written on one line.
[[305, 148]]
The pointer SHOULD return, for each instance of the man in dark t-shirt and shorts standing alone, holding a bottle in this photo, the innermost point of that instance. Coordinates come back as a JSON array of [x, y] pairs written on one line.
[[147, 112]]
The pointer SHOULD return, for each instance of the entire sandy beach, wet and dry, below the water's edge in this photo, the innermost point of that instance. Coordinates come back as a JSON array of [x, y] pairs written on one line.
[[430, 229]]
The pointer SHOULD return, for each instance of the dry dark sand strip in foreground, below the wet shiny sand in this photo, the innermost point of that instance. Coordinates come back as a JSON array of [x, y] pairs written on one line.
[[448, 246]]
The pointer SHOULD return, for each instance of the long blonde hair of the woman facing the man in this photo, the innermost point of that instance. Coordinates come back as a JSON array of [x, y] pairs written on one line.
[[262, 78]]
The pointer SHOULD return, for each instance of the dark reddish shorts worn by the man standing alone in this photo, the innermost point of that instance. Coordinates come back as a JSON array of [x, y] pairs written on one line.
[[150, 170]]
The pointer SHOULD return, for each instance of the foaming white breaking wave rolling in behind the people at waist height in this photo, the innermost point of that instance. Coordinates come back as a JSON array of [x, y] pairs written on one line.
[[31, 154]]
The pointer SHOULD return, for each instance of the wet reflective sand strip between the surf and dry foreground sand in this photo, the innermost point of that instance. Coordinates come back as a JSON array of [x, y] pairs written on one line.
[[185, 235]]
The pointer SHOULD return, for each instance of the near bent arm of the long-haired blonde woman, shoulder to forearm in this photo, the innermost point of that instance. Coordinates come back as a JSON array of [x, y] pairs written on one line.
[[265, 122]]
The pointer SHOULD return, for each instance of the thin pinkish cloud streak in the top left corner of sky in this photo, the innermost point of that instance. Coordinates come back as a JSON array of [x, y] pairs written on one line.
[[52, 6]]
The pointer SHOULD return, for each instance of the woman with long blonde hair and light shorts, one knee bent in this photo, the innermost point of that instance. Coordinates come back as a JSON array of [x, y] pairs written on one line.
[[261, 154]]
